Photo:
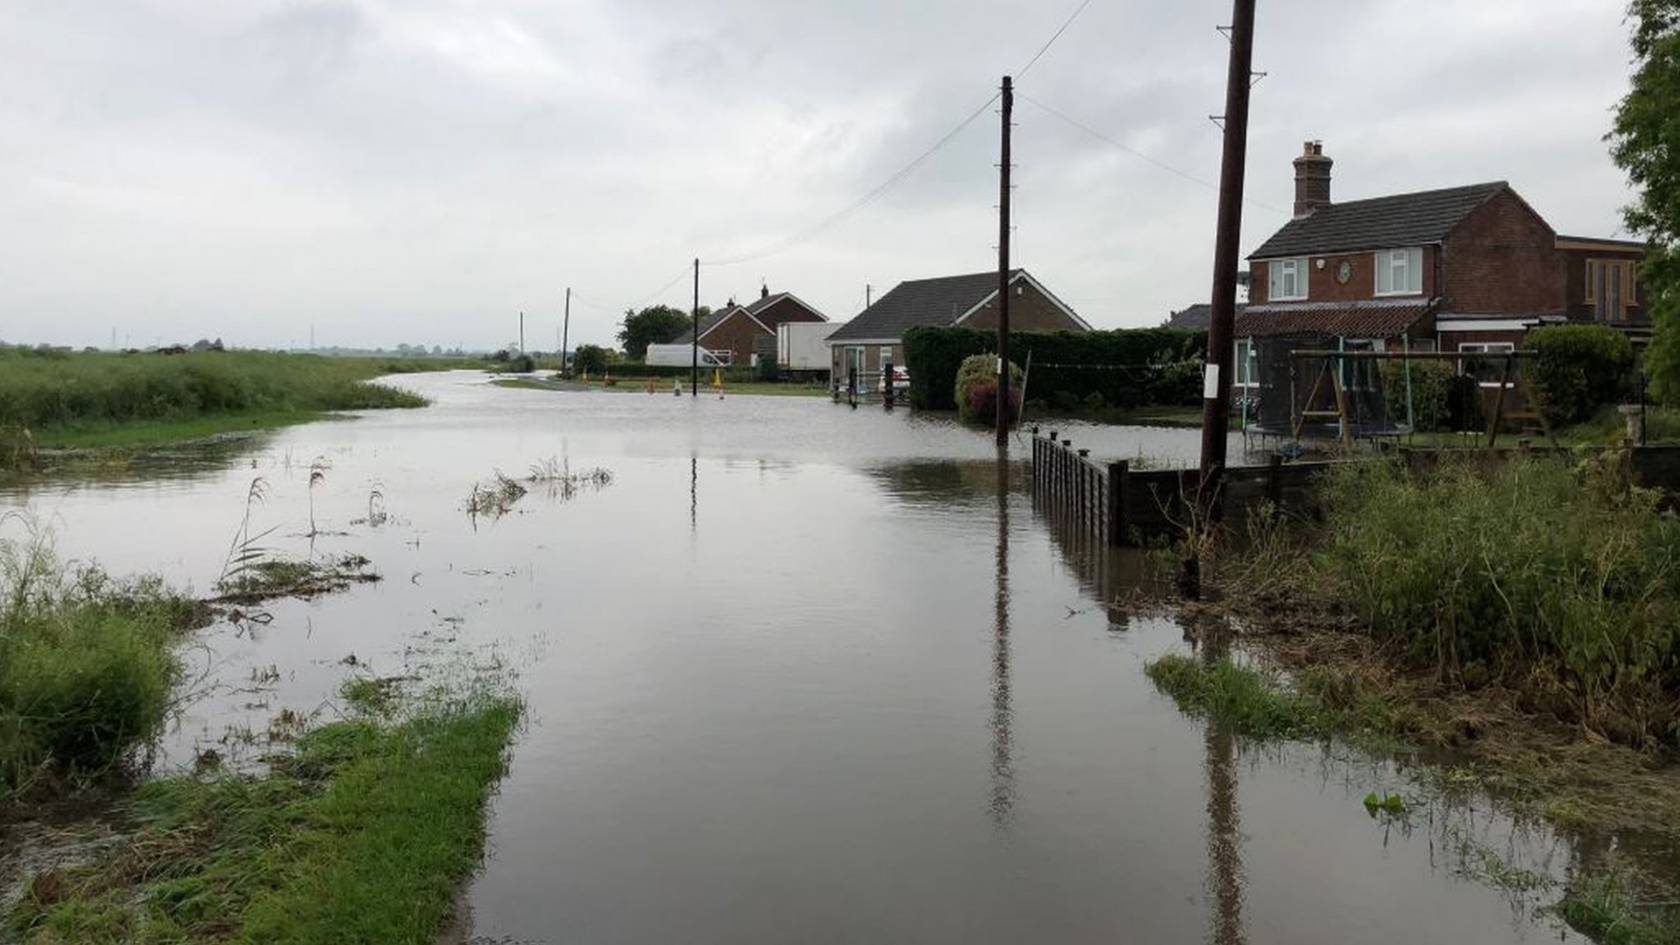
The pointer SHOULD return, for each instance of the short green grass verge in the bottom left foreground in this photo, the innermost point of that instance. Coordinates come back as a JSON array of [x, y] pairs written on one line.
[[364, 837]]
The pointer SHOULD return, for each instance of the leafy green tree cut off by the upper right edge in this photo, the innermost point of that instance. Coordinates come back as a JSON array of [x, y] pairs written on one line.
[[1644, 145]]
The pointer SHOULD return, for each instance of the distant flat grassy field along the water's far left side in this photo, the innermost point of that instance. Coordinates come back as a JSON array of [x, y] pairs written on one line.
[[51, 399]]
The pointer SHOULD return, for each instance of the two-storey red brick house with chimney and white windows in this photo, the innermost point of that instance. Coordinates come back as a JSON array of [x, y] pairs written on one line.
[[1457, 270]]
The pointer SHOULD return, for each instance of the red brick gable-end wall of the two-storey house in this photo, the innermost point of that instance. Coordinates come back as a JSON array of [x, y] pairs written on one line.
[[1503, 260]]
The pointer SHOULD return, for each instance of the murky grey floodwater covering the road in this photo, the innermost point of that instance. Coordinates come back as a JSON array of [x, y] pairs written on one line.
[[795, 675]]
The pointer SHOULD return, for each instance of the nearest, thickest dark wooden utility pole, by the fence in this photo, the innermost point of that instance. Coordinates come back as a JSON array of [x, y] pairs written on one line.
[[1217, 383]]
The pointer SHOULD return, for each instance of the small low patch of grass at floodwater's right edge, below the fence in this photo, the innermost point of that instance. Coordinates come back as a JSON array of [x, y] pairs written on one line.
[[1257, 704]]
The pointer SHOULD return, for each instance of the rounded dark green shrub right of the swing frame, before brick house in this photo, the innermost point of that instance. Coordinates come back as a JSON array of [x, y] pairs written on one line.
[[1578, 369]]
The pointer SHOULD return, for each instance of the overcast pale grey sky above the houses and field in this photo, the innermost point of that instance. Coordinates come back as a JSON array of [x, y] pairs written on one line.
[[421, 171]]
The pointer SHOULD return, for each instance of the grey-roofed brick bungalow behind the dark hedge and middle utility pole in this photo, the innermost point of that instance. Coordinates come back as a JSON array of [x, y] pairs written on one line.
[[878, 334]]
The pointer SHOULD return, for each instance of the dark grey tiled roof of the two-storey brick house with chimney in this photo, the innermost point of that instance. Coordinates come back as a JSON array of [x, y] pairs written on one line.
[[1382, 223]]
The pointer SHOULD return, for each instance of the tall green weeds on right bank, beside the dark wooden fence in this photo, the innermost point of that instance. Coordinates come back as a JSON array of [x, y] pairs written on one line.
[[1535, 571]]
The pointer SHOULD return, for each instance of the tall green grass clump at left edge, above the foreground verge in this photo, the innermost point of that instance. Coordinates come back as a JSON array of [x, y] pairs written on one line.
[[87, 668]]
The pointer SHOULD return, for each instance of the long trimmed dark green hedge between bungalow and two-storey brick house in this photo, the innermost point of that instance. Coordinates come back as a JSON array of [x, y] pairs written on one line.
[[1157, 366]]
